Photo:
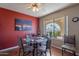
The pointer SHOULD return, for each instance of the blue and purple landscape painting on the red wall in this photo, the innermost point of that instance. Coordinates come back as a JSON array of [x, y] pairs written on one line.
[[23, 25]]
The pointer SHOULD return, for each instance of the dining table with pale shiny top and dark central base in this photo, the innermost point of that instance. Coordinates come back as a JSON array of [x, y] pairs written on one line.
[[35, 41]]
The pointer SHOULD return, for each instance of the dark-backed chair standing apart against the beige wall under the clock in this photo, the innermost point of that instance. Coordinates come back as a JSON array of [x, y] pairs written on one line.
[[69, 44]]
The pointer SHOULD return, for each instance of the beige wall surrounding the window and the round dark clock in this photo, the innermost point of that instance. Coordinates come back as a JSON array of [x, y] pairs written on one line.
[[72, 26]]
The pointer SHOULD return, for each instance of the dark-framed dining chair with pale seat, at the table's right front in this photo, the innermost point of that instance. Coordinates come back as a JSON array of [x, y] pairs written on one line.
[[44, 47]]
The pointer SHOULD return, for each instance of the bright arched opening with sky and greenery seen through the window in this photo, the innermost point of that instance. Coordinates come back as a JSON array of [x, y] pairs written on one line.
[[53, 29]]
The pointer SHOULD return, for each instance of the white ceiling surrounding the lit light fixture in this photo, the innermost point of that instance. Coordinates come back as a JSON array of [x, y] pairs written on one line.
[[45, 8]]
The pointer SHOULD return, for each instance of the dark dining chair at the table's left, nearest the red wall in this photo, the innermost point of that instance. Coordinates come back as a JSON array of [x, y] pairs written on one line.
[[25, 49]]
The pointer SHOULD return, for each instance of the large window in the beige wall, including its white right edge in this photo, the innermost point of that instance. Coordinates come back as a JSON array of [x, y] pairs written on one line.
[[56, 27]]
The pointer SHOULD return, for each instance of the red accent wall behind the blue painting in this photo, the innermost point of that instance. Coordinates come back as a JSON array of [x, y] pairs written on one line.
[[8, 35]]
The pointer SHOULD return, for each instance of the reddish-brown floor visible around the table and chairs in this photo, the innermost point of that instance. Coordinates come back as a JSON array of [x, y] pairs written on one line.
[[55, 52]]
